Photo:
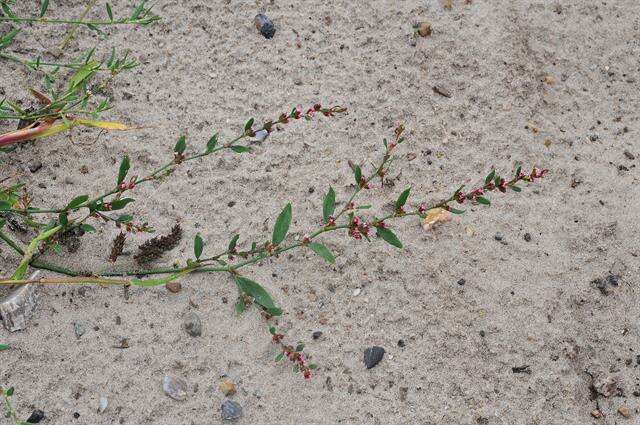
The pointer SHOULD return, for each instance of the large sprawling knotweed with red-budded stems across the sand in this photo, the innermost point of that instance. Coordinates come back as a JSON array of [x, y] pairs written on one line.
[[352, 217]]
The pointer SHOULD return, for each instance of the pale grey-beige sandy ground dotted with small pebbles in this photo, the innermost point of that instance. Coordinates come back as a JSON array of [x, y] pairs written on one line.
[[205, 68]]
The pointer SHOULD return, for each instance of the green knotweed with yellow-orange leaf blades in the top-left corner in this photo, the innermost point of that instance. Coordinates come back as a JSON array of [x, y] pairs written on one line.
[[72, 93]]
